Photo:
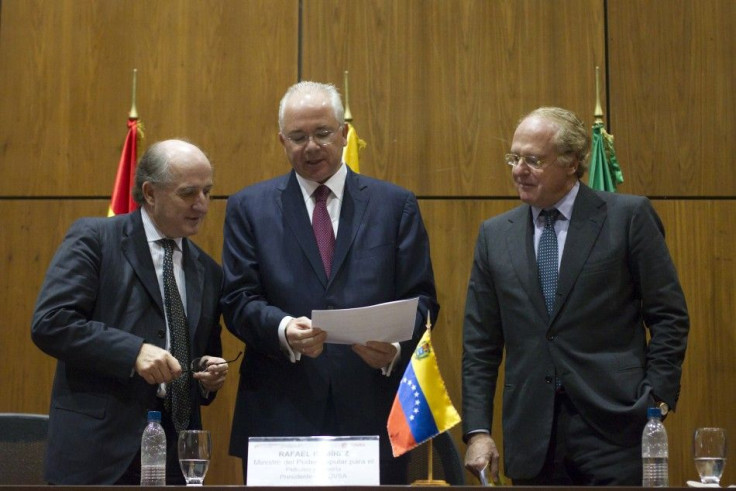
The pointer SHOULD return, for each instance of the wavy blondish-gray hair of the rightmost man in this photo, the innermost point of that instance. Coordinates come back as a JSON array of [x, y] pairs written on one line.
[[572, 138]]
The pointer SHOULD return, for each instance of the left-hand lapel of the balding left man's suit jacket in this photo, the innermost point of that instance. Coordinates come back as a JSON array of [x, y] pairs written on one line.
[[134, 246]]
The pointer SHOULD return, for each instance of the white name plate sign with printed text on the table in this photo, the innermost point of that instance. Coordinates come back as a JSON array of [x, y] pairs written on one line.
[[313, 461]]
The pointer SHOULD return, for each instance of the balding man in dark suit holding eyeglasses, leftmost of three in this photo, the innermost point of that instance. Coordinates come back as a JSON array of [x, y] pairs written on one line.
[[101, 313]]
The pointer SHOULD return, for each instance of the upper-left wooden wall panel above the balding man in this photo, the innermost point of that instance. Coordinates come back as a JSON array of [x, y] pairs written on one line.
[[204, 73]]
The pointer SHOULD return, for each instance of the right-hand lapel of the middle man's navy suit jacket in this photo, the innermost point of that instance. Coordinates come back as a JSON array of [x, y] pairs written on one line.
[[354, 203]]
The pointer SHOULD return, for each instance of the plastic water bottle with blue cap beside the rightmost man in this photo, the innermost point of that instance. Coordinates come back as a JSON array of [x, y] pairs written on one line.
[[654, 451]]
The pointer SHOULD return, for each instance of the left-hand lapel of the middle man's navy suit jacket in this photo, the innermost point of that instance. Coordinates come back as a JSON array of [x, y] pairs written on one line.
[[291, 202]]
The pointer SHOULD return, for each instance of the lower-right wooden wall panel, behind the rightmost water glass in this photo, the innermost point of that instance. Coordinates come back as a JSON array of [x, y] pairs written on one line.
[[701, 243]]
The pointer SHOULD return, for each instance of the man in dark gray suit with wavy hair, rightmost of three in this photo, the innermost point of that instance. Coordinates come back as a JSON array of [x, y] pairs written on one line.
[[579, 372]]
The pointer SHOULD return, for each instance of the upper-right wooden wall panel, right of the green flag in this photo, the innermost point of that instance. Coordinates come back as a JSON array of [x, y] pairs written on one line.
[[672, 72]]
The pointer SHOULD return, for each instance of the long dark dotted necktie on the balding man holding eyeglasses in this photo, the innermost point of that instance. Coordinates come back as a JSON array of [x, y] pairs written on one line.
[[178, 397]]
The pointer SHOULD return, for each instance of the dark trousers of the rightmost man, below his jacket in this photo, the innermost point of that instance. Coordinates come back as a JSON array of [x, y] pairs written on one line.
[[580, 456]]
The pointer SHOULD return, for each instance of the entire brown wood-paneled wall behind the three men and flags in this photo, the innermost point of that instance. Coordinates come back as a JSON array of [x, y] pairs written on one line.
[[436, 89]]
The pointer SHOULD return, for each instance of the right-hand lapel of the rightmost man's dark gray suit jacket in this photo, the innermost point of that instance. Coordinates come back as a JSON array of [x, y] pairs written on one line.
[[588, 215]]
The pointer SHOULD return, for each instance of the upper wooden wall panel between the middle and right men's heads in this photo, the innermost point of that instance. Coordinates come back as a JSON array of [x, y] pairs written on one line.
[[436, 88]]
